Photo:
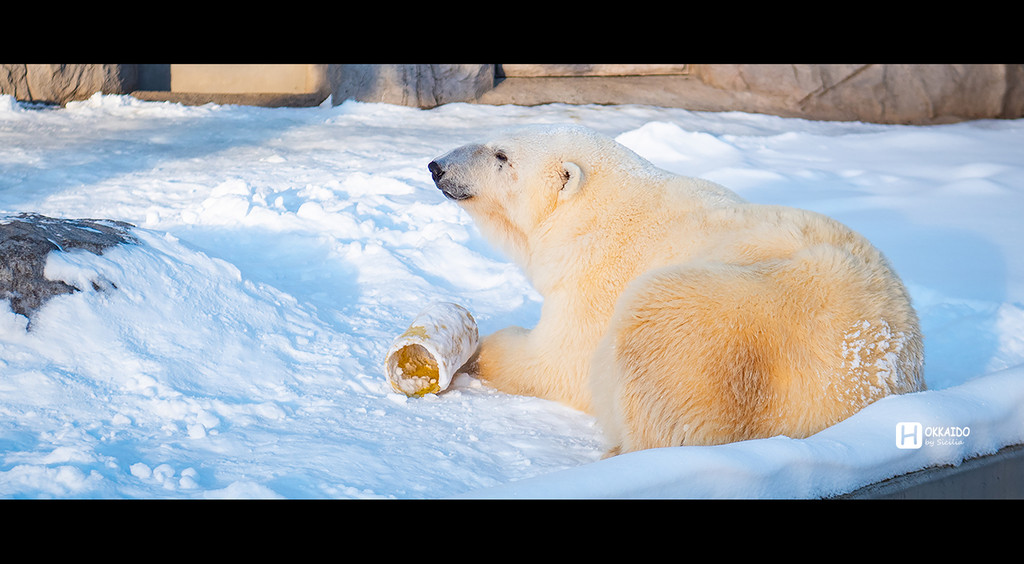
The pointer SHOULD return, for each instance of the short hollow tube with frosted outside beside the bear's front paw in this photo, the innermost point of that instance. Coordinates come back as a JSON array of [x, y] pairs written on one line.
[[424, 359]]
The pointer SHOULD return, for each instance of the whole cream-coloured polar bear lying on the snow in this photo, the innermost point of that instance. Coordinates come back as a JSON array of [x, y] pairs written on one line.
[[676, 313]]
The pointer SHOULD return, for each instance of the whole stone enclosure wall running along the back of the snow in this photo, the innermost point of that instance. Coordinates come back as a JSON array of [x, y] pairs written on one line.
[[882, 94]]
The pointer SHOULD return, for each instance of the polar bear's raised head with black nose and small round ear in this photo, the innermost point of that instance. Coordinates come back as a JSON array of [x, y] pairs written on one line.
[[514, 185]]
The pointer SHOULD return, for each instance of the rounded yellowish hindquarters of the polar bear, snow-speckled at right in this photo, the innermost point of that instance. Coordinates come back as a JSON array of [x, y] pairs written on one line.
[[764, 336]]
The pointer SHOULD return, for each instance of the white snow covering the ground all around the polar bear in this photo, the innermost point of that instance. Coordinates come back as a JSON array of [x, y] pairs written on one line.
[[240, 353]]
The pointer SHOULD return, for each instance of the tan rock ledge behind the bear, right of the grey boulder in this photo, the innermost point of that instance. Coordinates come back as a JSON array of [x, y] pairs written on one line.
[[879, 94]]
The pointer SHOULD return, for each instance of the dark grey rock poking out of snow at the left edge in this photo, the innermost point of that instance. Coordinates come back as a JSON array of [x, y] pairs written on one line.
[[27, 240]]
